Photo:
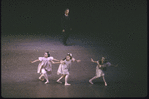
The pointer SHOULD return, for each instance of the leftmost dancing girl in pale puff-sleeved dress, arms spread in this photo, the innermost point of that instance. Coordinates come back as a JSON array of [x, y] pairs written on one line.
[[45, 66]]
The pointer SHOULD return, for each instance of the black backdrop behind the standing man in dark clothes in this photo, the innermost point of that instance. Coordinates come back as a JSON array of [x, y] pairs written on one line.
[[119, 17]]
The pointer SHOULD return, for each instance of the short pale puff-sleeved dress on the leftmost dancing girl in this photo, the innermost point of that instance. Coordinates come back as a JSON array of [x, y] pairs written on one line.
[[45, 66]]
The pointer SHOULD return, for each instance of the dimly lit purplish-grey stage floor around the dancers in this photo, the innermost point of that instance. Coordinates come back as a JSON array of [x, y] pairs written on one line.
[[19, 77]]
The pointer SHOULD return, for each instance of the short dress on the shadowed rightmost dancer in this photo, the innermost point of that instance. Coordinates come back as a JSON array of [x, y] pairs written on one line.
[[99, 71]]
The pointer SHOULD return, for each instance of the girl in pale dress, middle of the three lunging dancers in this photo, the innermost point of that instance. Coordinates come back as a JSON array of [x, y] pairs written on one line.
[[64, 68]]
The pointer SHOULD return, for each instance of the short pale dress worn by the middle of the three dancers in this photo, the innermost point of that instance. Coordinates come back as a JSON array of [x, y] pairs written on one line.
[[65, 67]]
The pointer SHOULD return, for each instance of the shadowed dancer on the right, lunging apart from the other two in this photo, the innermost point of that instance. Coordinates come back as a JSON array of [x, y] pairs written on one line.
[[101, 65]]
